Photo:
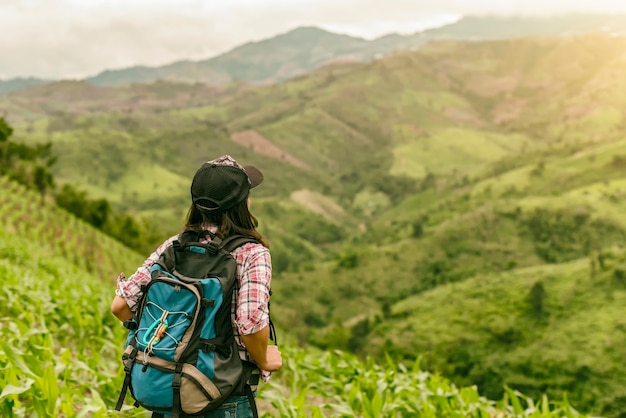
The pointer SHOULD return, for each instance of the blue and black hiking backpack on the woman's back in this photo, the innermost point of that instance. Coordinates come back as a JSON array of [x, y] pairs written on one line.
[[181, 356]]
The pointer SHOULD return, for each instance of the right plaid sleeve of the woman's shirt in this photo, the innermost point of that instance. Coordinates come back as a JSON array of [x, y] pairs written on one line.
[[252, 314]]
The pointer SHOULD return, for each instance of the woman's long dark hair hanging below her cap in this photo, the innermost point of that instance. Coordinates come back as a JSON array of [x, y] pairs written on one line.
[[237, 220]]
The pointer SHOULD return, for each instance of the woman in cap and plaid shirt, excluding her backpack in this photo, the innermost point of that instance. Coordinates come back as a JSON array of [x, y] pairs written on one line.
[[221, 205]]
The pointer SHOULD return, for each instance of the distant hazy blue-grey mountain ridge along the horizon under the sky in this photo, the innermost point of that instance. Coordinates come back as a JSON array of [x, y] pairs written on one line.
[[304, 49]]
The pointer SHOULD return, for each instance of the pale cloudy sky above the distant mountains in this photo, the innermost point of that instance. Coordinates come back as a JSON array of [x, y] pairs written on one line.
[[80, 38]]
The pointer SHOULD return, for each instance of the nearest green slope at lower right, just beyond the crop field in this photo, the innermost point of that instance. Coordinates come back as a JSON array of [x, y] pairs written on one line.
[[552, 329]]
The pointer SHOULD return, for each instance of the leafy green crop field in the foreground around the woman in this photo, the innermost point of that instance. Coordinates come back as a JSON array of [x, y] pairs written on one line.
[[60, 346]]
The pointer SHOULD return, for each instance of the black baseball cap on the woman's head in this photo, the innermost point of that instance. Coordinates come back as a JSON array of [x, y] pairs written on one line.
[[223, 183]]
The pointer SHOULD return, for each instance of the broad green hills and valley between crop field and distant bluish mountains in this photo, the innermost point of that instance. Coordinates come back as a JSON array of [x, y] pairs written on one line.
[[462, 203]]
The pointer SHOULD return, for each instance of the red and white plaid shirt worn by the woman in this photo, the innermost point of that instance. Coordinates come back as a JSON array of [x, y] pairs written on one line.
[[250, 313]]
